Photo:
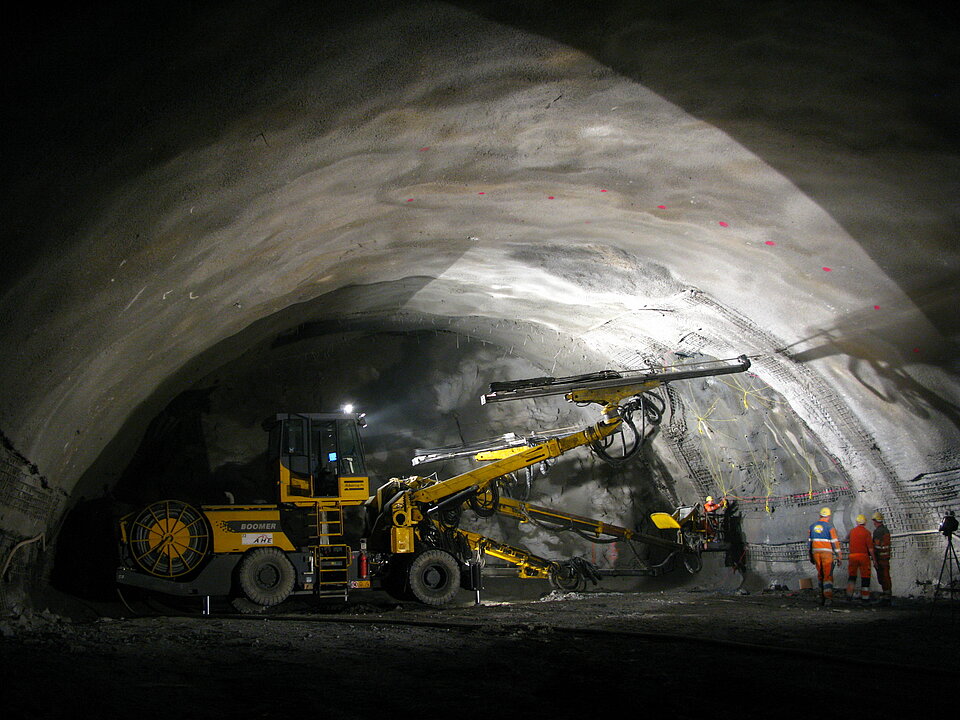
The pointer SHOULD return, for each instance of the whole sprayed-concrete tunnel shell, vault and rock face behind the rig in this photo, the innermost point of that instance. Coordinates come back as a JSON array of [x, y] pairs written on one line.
[[270, 208]]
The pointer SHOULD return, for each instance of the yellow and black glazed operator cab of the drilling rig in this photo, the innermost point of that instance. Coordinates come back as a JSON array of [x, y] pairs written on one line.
[[318, 455]]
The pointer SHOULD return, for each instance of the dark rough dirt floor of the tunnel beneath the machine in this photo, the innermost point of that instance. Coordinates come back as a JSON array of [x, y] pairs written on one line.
[[682, 653]]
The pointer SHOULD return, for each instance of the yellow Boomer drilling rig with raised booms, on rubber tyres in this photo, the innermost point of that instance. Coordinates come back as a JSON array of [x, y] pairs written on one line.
[[327, 535]]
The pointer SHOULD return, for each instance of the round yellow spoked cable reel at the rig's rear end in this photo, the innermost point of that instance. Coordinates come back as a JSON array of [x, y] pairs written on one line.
[[169, 538]]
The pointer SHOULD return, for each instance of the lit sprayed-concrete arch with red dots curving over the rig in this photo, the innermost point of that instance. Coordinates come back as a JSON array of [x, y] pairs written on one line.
[[506, 188]]
